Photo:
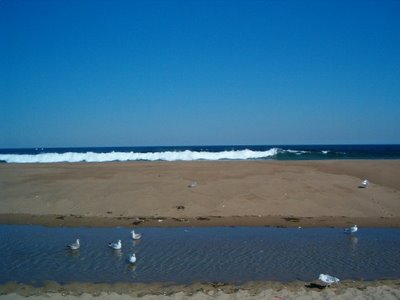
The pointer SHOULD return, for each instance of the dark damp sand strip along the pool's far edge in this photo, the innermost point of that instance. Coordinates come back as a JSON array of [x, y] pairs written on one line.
[[201, 221]]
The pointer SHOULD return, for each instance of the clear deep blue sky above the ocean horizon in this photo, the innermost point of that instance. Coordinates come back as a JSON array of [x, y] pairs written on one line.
[[129, 73]]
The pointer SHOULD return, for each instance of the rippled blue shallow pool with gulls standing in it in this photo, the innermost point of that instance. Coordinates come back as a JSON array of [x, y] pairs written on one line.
[[33, 254]]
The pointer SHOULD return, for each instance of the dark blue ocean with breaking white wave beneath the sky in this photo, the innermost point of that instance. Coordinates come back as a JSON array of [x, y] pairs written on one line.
[[192, 153]]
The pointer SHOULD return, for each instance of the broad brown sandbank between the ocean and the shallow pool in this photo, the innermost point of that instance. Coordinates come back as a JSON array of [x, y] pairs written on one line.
[[203, 193]]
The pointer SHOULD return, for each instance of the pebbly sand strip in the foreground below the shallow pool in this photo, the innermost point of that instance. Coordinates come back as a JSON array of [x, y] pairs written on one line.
[[347, 289]]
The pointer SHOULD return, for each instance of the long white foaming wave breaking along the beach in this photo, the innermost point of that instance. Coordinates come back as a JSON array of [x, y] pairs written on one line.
[[186, 155]]
